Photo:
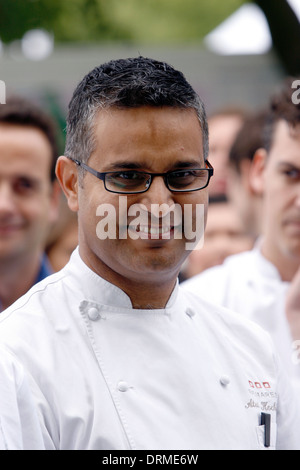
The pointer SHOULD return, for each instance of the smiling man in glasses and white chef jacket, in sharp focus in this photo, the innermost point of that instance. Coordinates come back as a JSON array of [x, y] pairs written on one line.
[[117, 354]]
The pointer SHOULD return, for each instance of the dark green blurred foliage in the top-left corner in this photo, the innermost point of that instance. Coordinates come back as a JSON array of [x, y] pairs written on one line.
[[69, 20]]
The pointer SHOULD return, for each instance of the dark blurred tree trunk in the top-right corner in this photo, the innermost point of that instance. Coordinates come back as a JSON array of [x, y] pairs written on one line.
[[285, 30]]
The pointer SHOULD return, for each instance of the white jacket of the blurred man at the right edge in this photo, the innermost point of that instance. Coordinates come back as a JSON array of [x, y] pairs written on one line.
[[250, 284]]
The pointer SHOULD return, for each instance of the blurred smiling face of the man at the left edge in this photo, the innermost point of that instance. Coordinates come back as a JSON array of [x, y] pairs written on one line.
[[25, 190]]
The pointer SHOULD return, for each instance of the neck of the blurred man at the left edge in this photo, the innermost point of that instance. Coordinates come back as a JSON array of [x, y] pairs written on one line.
[[17, 276]]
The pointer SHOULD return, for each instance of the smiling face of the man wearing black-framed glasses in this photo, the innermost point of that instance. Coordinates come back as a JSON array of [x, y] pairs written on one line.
[[154, 140]]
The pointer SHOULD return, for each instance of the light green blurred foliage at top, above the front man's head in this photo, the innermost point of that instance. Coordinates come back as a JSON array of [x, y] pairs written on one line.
[[170, 21]]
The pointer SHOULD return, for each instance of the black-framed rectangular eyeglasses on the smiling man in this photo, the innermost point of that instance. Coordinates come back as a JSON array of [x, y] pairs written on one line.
[[135, 181]]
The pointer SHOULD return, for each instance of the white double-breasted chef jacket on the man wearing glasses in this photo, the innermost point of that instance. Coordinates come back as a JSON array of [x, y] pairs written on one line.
[[107, 376]]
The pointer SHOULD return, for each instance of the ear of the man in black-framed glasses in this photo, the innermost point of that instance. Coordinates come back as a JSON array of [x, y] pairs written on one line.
[[67, 175]]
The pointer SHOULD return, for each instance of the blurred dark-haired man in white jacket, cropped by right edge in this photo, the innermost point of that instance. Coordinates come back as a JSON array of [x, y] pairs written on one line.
[[262, 284]]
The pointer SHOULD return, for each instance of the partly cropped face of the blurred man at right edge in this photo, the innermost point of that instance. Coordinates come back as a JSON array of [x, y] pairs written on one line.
[[282, 193]]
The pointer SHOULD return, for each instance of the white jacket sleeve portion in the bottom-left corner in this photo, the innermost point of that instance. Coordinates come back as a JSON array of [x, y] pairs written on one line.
[[19, 424]]
